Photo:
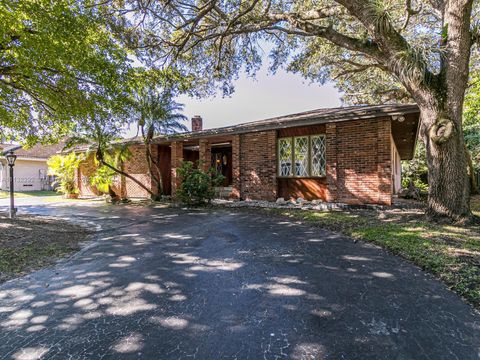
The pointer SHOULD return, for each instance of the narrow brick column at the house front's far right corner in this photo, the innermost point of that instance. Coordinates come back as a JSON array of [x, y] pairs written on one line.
[[384, 167]]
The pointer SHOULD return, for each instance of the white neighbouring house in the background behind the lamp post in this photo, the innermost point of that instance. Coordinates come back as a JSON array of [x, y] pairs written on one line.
[[31, 169]]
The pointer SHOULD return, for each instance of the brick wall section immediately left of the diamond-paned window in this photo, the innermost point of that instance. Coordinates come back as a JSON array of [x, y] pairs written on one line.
[[258, 178]]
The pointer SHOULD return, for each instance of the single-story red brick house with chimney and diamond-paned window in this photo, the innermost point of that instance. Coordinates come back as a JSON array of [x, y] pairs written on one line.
[[348, 154]]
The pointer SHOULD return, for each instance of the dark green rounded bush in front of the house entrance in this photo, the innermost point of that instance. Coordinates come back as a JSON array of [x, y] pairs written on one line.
[[197, 186]]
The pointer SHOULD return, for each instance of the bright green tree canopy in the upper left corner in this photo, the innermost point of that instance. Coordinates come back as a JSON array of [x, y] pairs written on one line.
[[58, 63]]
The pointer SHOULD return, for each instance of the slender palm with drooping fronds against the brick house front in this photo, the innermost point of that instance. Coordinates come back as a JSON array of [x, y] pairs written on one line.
[[158, 115]]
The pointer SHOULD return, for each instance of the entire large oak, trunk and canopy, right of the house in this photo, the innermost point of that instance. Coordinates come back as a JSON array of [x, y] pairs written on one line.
[[398, 50]]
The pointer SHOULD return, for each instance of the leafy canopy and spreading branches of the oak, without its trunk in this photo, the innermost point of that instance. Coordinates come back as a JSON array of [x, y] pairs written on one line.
[[368, 47]]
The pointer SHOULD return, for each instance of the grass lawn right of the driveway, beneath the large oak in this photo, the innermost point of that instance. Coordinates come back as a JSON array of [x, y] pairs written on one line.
[[451, 253]]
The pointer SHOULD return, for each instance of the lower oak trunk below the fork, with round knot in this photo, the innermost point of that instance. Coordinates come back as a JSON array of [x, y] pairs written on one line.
[[449, 183]]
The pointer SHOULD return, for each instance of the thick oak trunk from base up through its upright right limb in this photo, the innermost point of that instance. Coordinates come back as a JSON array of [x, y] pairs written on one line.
[[441, 110]]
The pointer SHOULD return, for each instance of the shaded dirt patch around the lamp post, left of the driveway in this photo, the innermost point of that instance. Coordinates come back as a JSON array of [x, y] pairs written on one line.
[[30, 243]]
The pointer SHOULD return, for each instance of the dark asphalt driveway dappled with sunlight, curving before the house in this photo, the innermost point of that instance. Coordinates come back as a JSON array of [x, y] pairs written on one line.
[[178, 284]]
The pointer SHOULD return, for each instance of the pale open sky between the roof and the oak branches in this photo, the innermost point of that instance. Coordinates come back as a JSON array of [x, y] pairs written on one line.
[[264, 97]]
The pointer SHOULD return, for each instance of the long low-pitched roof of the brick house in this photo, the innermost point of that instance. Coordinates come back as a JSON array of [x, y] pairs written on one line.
[[311, 117]]
